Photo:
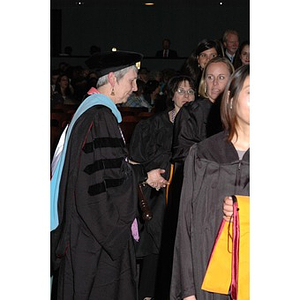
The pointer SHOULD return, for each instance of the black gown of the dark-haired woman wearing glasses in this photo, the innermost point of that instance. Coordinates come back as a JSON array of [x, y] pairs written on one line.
[[150, 145]]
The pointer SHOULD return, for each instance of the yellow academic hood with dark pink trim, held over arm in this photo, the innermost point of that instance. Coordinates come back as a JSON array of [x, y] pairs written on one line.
[[219, 275]]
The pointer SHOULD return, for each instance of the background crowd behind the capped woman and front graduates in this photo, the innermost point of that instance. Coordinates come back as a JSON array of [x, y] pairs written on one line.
[[70, 84]]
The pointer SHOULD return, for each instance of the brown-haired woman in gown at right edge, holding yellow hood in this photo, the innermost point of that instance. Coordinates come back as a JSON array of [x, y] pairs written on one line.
[[214, 168]]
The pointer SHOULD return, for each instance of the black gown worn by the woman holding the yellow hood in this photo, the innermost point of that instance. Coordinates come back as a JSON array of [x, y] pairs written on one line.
[[212, 171]]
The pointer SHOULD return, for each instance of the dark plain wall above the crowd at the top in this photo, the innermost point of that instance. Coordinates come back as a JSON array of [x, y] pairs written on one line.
[[132, 26]]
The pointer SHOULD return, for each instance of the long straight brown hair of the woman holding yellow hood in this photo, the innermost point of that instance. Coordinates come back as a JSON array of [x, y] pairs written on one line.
[[230, 98]]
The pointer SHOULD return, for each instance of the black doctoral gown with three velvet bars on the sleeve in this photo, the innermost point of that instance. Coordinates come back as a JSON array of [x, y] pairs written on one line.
[[97, 204]]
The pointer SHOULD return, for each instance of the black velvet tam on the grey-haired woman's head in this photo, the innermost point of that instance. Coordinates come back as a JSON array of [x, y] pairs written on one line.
[[113, 61]]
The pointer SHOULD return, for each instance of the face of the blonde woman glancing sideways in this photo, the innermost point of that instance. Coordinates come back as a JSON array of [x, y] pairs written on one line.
[[216, 78]]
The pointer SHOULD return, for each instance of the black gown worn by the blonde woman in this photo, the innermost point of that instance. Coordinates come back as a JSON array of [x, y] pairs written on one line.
[[194, 122]]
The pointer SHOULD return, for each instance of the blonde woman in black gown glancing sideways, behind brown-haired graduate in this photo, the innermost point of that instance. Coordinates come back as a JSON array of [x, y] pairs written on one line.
[[195, 121]]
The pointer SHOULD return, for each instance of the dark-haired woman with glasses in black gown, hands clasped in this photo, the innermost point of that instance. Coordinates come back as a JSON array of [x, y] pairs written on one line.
[[151, 145]]
